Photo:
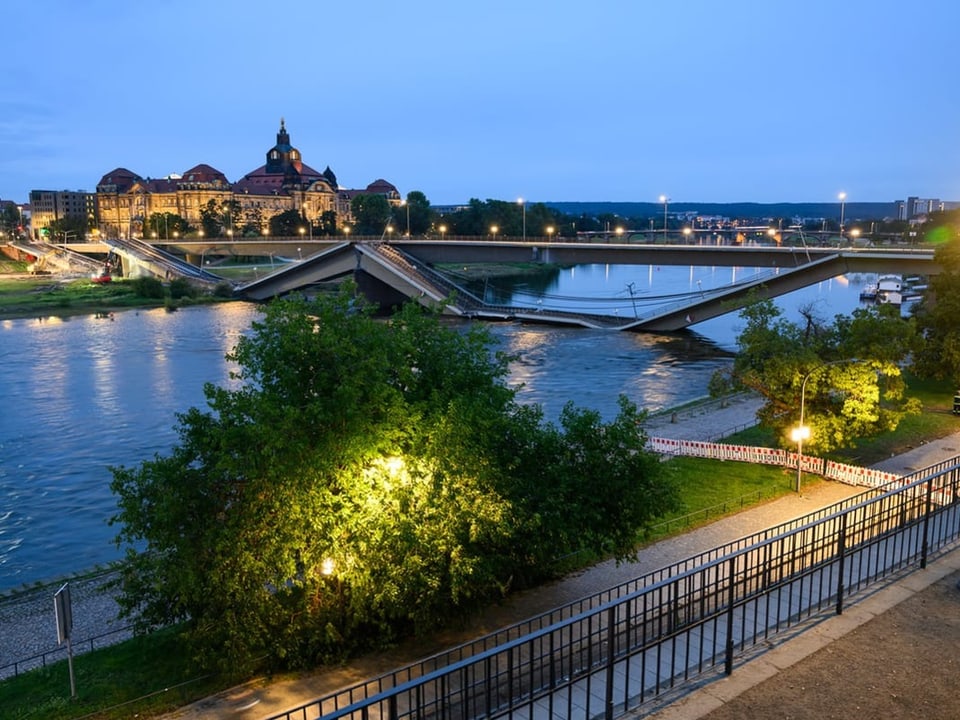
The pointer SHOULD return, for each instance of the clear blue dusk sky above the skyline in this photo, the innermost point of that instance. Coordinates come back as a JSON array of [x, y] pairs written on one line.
[[701, 100]]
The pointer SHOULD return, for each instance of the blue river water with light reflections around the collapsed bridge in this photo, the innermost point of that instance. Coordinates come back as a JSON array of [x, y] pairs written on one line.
[[84, 393]]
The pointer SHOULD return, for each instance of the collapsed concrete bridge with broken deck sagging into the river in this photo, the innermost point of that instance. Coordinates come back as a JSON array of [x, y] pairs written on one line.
[[390, 273]]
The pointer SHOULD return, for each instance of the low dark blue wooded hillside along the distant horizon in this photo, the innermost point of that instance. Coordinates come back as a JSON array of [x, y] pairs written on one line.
[[852, 210]]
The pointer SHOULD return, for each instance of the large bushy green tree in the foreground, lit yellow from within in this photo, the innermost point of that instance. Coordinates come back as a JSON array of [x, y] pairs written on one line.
[[362, 479]]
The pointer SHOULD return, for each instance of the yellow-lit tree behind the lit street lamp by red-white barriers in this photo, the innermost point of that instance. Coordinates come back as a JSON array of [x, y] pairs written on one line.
[[852, 370]]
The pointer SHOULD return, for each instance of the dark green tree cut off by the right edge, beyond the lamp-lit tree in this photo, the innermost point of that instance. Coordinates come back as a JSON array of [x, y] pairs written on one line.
[[937, 316]]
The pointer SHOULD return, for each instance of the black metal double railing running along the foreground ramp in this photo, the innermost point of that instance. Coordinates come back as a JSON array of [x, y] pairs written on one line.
[[615, 650]]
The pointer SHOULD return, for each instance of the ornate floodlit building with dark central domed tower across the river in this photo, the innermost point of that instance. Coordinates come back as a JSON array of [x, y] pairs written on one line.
[[125, 201]]
